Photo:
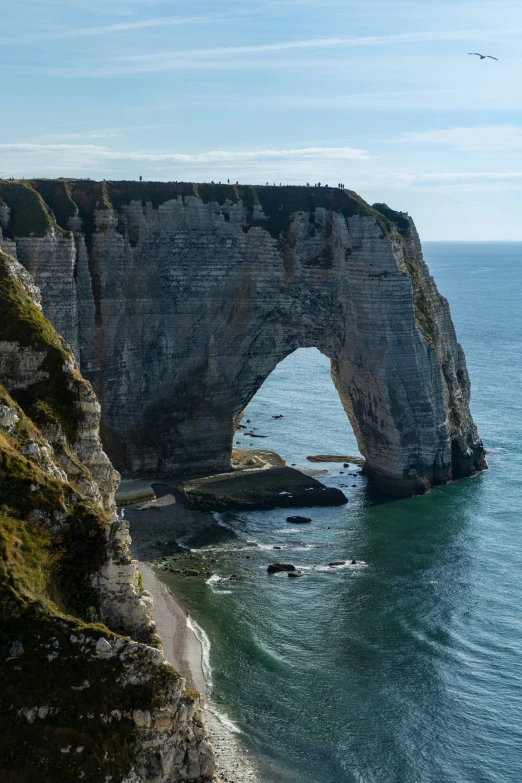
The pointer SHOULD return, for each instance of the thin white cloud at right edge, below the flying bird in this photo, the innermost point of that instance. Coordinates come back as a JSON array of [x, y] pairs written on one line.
[[492, 138]]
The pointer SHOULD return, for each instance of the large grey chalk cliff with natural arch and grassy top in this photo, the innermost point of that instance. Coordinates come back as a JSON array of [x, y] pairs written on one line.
[[179, 300]]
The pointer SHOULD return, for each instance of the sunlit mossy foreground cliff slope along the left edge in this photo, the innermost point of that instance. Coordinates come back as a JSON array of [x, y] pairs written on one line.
[[78, 699]]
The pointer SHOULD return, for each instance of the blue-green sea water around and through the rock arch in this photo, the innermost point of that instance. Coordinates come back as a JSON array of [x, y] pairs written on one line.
[[407, 668]]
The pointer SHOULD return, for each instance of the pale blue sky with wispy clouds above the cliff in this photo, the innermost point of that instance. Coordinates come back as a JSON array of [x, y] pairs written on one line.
[[380, 96]]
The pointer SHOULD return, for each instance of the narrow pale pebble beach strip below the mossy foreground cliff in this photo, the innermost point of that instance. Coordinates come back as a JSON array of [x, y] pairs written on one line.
[[183, 646]]
